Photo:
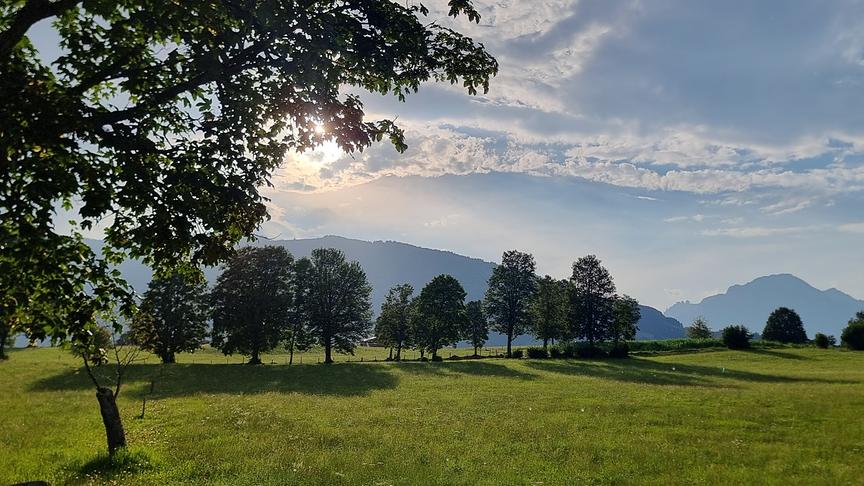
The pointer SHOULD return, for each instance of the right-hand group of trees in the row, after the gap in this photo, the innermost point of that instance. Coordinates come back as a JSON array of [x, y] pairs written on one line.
[[517, 302]]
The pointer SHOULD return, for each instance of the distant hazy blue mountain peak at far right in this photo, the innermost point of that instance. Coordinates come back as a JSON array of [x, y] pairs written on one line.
[[825, 311]]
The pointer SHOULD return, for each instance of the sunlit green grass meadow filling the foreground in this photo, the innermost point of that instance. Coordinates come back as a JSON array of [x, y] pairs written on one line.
[[778, 416]]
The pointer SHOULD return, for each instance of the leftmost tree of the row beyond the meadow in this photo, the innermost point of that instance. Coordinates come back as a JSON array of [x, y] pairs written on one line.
[[173, 316]]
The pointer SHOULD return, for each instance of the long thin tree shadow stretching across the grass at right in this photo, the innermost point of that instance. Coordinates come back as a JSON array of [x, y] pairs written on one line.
[[635, 370]]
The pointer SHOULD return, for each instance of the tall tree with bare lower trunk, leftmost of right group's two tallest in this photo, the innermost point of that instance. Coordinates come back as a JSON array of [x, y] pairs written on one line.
[[508, 297]]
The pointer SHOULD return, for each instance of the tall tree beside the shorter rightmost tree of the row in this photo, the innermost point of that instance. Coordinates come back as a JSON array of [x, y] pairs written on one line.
[[591, 300]]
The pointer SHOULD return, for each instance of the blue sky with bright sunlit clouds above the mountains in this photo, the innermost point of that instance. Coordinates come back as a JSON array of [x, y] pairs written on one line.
[[689, 144]]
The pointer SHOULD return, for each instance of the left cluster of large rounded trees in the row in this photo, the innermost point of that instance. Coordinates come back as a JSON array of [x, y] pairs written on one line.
[[263, 299]]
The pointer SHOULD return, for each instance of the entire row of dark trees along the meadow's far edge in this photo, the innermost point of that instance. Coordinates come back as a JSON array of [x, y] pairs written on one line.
[[265, 299]]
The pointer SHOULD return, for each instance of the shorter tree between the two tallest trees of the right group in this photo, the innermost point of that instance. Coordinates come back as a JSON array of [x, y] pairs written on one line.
[[549, 310]]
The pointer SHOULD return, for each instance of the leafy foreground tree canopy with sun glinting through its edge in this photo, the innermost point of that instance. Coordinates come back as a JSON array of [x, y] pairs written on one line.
[[161, 120]]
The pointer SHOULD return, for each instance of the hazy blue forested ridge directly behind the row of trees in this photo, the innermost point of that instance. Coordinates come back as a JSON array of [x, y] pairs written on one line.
[[388, 263]]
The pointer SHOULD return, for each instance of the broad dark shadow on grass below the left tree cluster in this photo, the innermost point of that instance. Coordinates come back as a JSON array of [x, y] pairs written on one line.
[[191, 379]]
